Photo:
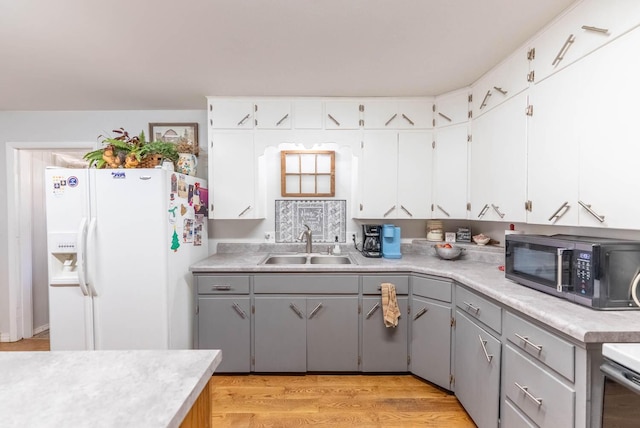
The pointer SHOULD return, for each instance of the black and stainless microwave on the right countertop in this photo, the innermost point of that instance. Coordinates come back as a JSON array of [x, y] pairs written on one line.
[[601, 273]]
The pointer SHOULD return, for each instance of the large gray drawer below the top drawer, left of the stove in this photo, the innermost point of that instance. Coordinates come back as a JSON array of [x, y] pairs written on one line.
[[537, 393]]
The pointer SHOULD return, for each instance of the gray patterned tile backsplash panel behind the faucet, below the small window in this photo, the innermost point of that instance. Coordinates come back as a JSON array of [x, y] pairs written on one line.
[[326, 218]]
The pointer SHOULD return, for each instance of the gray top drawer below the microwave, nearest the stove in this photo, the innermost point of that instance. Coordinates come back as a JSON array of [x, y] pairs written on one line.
[[541, 345]]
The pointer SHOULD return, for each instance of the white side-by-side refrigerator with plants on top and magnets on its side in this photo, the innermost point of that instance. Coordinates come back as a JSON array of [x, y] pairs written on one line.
[[120, 243]]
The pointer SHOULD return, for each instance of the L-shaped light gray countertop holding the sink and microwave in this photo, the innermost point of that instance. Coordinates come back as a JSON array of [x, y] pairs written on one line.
[[477, 269]]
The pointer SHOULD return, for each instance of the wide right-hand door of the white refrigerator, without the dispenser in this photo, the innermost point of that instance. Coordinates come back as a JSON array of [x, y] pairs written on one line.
[[126, 258]]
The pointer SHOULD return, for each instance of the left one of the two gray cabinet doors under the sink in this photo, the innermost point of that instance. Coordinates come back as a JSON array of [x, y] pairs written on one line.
[[280, 334]]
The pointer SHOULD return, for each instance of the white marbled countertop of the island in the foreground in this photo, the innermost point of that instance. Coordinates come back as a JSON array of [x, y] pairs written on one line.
[[102, 388]]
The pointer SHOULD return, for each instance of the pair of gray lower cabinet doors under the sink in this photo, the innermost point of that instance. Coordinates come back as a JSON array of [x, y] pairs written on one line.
[[299, 334]]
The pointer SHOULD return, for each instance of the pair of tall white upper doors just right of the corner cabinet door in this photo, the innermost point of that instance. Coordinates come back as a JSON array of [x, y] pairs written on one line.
[[499, 161]]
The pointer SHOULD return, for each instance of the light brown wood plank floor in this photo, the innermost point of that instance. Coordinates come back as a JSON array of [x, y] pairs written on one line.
[[361, 401]]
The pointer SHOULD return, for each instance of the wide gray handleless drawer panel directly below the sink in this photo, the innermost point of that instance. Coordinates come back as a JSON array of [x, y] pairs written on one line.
[[295, 284]]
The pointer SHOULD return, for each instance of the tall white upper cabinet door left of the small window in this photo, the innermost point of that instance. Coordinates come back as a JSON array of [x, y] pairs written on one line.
[[232, 171]]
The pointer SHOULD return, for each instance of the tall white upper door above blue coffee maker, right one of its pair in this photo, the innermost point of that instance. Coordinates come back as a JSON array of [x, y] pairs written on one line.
[[415, 166]]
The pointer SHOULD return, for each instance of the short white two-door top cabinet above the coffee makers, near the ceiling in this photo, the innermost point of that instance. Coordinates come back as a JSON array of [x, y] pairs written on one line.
[[397, 113]]
